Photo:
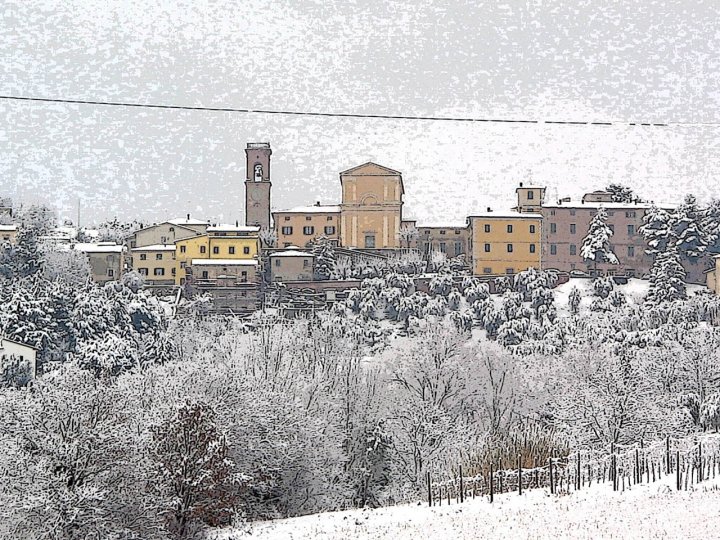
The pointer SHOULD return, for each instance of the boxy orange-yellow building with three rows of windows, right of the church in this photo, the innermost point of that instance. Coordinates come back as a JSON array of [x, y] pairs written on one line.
[[505, 243]]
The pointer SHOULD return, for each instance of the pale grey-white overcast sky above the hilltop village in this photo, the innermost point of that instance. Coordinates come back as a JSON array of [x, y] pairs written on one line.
[[629, 61]]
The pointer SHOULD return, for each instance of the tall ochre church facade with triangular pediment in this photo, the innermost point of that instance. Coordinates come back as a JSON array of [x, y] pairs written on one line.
[[371, 209]]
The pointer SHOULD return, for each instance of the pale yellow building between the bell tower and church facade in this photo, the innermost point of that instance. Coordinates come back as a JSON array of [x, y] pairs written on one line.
[[300, 226]]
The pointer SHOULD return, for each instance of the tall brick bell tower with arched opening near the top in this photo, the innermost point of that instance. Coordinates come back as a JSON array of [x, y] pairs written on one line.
[[257, 184]]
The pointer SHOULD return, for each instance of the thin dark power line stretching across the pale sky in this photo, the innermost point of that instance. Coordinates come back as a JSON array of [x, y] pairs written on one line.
[[343, 115]]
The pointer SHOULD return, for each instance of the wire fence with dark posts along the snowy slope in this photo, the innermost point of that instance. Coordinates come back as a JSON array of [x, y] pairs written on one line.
[[690, 460]]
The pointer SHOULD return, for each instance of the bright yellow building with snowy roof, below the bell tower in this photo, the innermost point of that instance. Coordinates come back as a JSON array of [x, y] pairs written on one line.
[[223, 242]]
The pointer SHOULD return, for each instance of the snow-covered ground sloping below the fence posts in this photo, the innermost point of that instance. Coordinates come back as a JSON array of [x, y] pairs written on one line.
[[653, 511]]
